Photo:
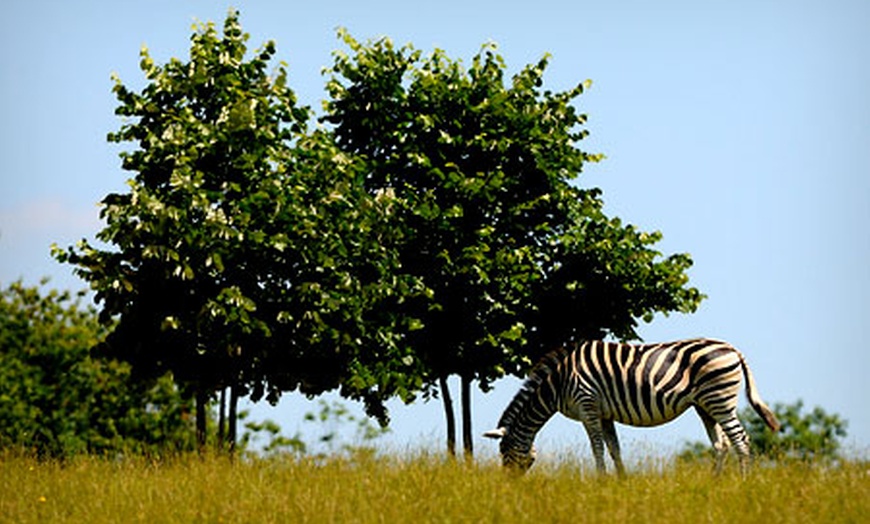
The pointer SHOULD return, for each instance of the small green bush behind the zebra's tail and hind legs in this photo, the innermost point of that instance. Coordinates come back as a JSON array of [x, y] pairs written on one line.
[[812, 436]]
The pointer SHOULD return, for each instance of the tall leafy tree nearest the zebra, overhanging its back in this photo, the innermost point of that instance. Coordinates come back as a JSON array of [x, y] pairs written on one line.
[[482, 170]]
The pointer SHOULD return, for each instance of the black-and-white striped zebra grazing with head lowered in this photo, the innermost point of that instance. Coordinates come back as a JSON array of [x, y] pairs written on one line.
[[599, 383]]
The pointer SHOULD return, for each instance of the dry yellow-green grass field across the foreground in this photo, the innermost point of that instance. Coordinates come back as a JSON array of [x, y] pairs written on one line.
[[418, 488]]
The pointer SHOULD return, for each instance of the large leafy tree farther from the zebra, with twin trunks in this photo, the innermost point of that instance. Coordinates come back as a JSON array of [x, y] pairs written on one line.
[[244, 256]]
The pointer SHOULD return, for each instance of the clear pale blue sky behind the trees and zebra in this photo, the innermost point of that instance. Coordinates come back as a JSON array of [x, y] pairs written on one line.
[[739, 129]]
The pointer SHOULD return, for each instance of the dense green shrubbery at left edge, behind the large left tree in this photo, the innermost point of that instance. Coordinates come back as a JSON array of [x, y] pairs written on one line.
[[57, 401]]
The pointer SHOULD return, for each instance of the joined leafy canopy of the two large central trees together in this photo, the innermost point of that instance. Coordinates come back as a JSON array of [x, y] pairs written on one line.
[[431, 224]]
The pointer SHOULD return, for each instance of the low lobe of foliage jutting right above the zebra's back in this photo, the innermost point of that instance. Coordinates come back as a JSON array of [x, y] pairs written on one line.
[[602, 277]]
